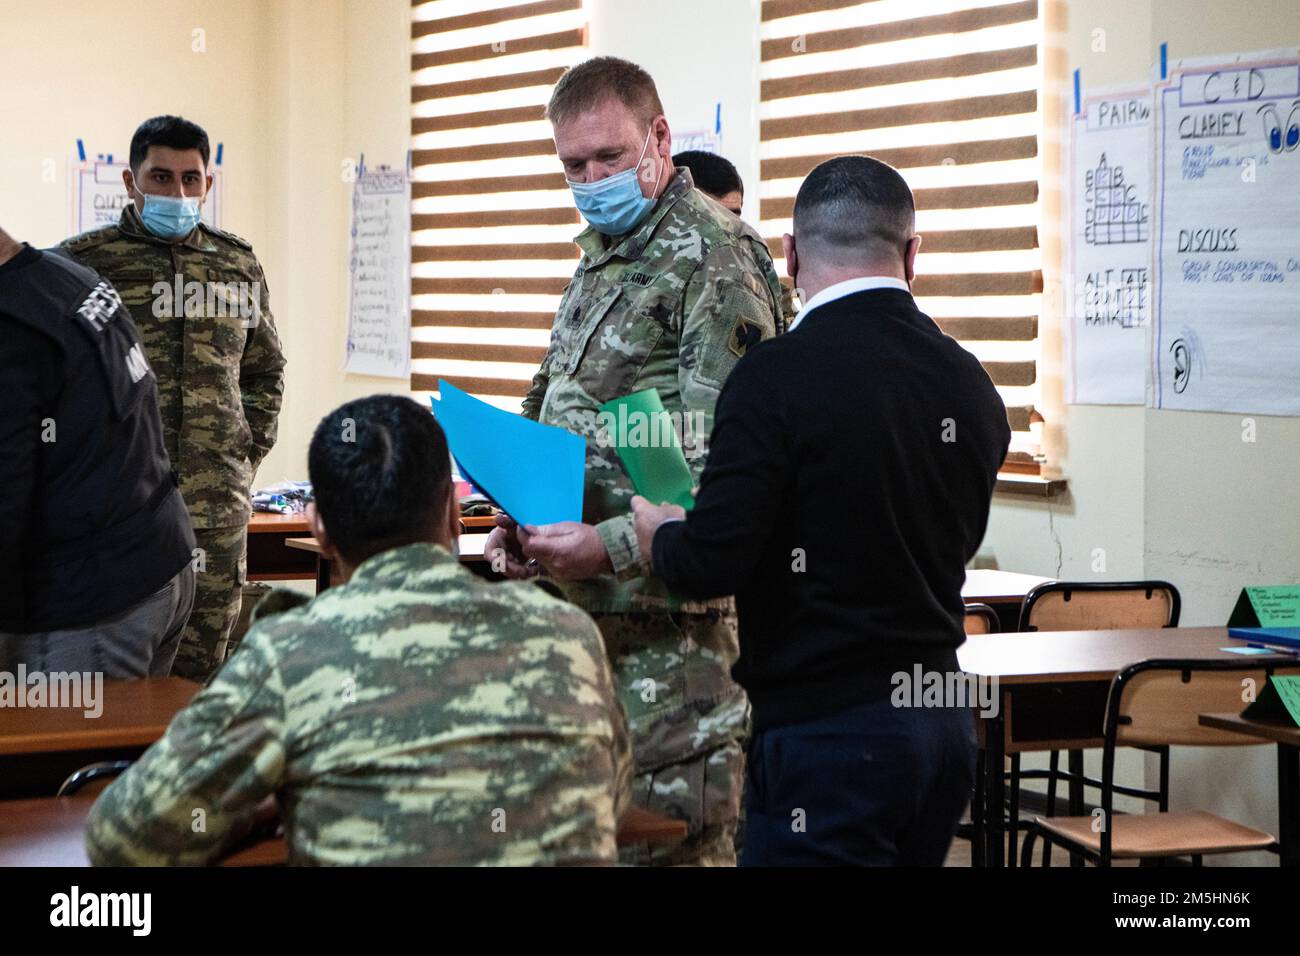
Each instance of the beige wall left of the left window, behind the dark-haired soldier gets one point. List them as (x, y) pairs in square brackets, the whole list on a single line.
[(293, 89)]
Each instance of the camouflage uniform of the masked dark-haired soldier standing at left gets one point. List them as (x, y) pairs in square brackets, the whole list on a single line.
[(220, 375)]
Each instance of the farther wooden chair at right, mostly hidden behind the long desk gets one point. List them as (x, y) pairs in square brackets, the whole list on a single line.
[(1090, 607)]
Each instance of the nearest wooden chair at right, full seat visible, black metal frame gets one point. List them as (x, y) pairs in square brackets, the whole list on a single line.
[(1158, 704)]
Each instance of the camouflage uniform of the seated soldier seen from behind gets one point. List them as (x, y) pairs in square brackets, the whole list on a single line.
[(417, 715)]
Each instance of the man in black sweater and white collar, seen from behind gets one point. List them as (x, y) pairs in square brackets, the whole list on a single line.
[(865, 403)]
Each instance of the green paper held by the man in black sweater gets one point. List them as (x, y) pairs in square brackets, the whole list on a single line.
[(647, 439)]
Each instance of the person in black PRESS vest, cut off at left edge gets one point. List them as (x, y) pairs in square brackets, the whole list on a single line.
[(96, 543)]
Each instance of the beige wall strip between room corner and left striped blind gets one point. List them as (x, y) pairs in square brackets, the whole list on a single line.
[(339, 88)]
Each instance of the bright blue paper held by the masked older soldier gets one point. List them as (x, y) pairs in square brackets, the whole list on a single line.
[(532, 471)]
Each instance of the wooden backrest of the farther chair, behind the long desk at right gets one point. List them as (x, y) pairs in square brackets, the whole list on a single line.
[(1100, 607)]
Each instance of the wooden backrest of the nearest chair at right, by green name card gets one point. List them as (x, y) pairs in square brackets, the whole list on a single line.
[(1160, 703)]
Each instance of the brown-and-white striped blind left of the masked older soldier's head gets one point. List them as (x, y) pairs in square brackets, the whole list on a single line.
[(492, 220)]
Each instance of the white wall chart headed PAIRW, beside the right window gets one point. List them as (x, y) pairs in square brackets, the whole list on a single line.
[(1108, 305)]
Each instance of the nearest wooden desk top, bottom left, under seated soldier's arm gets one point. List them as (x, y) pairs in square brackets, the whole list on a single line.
[(51, 833)]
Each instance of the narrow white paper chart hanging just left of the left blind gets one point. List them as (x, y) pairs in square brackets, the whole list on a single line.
[(379, 314)]
